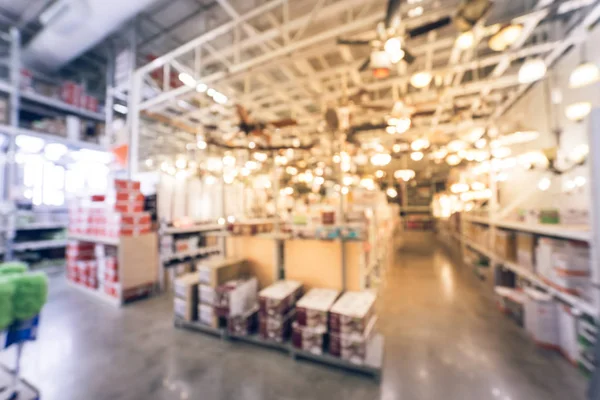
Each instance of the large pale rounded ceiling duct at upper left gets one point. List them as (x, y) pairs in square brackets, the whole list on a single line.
[(71, 27)]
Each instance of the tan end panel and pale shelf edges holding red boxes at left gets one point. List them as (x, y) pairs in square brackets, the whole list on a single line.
[(137, 258)]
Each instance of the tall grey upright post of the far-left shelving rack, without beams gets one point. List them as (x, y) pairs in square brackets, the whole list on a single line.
[(15, 75)]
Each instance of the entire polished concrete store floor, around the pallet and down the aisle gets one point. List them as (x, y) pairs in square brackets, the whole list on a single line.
[(444, 340)]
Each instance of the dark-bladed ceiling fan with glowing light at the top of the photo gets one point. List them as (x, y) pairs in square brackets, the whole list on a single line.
[(390, 45)]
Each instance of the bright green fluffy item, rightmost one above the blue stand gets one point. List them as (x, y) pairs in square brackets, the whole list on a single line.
[(30, 294)]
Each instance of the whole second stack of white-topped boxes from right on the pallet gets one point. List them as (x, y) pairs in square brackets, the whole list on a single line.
[(309, 331)]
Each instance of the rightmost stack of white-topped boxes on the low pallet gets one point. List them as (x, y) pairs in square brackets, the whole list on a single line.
[(351, 324)]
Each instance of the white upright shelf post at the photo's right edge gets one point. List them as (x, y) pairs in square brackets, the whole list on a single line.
[(594, 168)]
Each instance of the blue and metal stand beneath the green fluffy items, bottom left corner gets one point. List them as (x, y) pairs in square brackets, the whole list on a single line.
[(11, 385)]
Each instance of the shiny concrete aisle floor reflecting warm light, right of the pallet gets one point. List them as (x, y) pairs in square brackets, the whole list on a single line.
[(446, 339)]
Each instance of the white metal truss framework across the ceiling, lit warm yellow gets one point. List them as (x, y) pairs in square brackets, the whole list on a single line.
[(293, 68)]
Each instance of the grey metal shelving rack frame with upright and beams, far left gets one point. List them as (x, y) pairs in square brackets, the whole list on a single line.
[(12, 129)]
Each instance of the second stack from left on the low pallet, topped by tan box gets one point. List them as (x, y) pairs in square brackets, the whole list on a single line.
[(215, 277)]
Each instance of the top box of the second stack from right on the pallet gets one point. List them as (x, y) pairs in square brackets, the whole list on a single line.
[(313, 308)]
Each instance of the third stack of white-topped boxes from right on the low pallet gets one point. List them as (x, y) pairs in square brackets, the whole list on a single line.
[(277, 308)]
